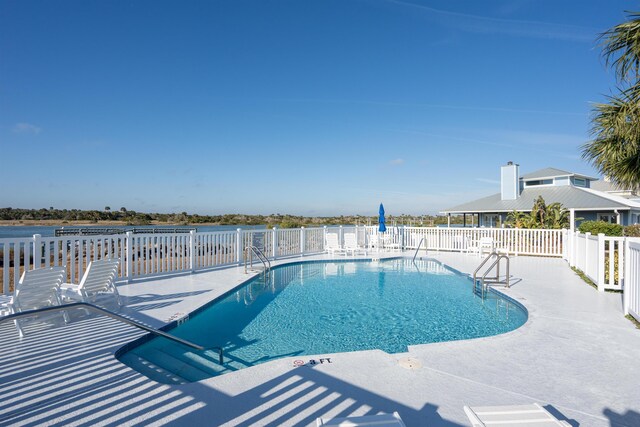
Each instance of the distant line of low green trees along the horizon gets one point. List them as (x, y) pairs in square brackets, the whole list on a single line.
[(130, 217)]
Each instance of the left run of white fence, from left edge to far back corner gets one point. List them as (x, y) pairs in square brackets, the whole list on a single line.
[(144, 255)]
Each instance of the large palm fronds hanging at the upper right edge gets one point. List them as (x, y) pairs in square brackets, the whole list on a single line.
[(615, 125)]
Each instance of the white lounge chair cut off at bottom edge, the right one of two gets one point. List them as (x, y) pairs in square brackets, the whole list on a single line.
[(512, 416)]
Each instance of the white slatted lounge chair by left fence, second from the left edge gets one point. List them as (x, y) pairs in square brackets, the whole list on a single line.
[(98, 278)]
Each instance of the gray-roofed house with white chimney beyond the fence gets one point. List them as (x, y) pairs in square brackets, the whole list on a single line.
[(586, 198)]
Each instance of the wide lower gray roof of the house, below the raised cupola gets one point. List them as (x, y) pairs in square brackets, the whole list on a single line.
[(571, 198)]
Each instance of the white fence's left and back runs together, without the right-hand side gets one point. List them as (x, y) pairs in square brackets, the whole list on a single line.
[(145, 255)]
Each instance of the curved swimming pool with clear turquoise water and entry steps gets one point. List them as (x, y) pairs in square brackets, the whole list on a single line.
[(316, 308)]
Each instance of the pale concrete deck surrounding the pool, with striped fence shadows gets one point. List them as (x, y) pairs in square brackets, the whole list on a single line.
[(577, 355)]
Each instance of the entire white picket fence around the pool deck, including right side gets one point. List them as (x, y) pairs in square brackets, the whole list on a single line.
[(610, 262)]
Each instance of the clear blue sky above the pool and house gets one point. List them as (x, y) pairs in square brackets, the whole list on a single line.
[(304, 107)]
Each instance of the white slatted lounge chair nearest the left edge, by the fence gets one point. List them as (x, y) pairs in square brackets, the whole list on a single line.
[(38, 288)]
